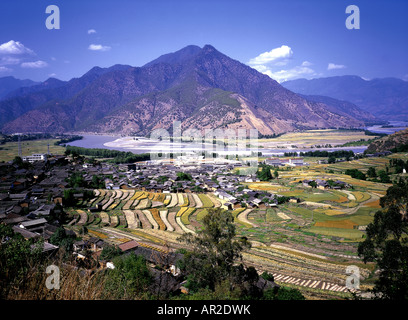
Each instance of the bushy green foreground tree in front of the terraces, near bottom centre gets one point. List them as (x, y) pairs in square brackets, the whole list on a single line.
[(215, 253)]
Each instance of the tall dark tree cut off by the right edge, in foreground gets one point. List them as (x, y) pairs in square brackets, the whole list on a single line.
[(387, 245)]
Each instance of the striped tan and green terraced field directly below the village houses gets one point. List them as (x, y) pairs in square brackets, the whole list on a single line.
[(147, 210)]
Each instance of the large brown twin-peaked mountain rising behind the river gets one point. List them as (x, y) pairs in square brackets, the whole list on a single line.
[(201, 87)]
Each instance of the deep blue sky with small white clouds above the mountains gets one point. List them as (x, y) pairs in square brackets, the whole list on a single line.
[(284, 39)]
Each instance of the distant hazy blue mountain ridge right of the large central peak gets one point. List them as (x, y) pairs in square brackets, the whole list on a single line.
[(385, 98)]
